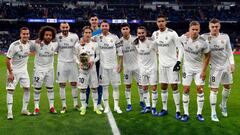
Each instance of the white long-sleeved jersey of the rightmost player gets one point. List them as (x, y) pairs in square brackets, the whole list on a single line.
[(221, 51)]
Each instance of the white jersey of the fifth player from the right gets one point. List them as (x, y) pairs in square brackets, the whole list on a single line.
[(130, 55)]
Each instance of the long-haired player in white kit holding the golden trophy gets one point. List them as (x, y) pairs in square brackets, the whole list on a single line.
[(88, 77)]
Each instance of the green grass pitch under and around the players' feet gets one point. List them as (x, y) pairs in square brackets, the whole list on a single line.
[(132, 123)]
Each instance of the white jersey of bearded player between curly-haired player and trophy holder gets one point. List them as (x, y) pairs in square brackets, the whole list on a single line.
[(66, 46)]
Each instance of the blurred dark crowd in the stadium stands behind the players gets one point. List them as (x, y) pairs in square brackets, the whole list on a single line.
[(119, 9)]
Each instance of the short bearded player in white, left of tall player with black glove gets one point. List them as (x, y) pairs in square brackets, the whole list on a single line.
[(147, 61)]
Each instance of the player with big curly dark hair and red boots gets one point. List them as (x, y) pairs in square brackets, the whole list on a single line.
[(44, 66)]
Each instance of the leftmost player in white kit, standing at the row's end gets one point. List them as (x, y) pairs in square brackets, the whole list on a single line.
[(17, 60)]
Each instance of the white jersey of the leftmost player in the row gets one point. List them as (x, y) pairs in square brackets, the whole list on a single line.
[(19, 53)]
